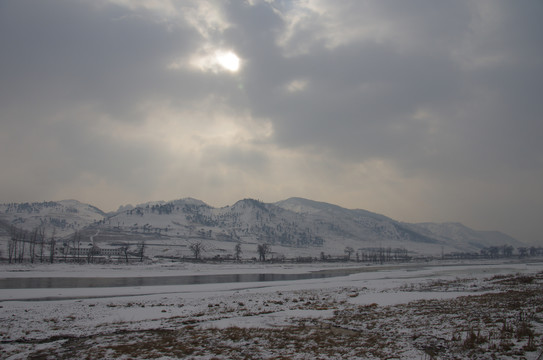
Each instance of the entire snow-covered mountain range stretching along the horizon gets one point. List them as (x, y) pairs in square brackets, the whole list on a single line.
[(298, 224)]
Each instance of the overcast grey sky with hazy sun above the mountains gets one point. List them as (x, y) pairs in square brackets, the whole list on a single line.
[(418, 110)]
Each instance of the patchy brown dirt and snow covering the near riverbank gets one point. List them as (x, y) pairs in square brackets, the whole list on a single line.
[(502, 319)]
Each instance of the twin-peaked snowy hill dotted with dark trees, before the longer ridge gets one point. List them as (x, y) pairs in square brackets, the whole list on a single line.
[(248, 221)]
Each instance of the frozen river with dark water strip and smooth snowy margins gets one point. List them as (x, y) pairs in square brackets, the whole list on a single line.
[(79, 282)]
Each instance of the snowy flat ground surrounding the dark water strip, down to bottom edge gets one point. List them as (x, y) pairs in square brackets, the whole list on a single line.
[(454, 311)]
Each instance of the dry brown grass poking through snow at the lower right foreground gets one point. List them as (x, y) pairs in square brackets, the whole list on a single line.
[(506, 322)]
